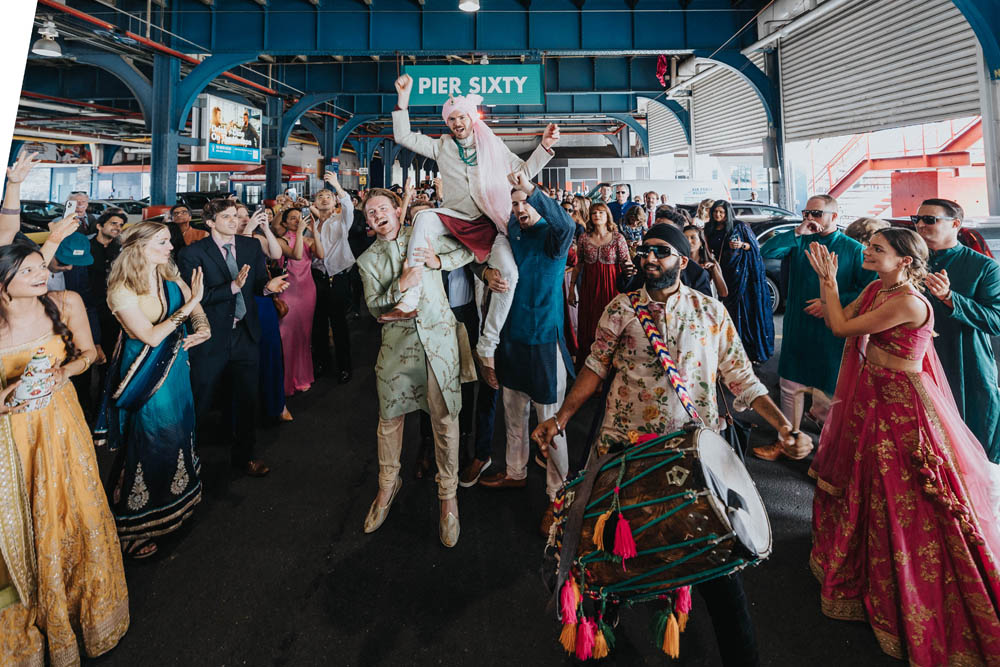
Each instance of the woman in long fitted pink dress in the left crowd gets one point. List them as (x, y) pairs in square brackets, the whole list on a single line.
[(296, 326)]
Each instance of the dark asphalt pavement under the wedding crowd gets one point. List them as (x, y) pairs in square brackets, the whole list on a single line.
[(277, 571)]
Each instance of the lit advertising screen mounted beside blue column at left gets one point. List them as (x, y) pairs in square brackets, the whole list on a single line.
[(229, 131)]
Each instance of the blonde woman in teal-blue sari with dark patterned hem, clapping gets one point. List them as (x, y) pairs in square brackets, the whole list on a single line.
[(147, 414)]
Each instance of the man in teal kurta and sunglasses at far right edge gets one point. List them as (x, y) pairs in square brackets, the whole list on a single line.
[(966, 289)]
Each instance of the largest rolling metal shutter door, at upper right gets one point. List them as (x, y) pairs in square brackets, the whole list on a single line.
[(875, 64)]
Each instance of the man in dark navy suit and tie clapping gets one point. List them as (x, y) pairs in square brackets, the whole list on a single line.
[(234, 270)]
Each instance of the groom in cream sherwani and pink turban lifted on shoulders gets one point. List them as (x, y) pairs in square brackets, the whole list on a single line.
[(475, 168)]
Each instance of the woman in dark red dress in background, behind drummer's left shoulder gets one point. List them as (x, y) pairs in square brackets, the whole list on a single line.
[(601, 253)]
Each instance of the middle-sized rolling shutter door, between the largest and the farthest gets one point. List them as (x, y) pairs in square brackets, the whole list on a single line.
[(728, 114)]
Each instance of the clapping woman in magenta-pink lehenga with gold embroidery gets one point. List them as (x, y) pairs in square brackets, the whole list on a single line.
[(905, 529)]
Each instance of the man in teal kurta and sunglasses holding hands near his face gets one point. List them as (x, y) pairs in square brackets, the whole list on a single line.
[(810, 353)]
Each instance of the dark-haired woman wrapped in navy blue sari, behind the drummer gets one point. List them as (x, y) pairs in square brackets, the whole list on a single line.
[(749, 301)]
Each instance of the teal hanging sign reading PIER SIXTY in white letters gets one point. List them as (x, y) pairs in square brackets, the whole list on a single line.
[(498, 84)]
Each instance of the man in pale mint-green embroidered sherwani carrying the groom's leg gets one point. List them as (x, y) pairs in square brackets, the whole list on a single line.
[(419, 363)]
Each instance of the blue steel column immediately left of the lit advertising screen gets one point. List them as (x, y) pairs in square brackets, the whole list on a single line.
[(163, 163)]
